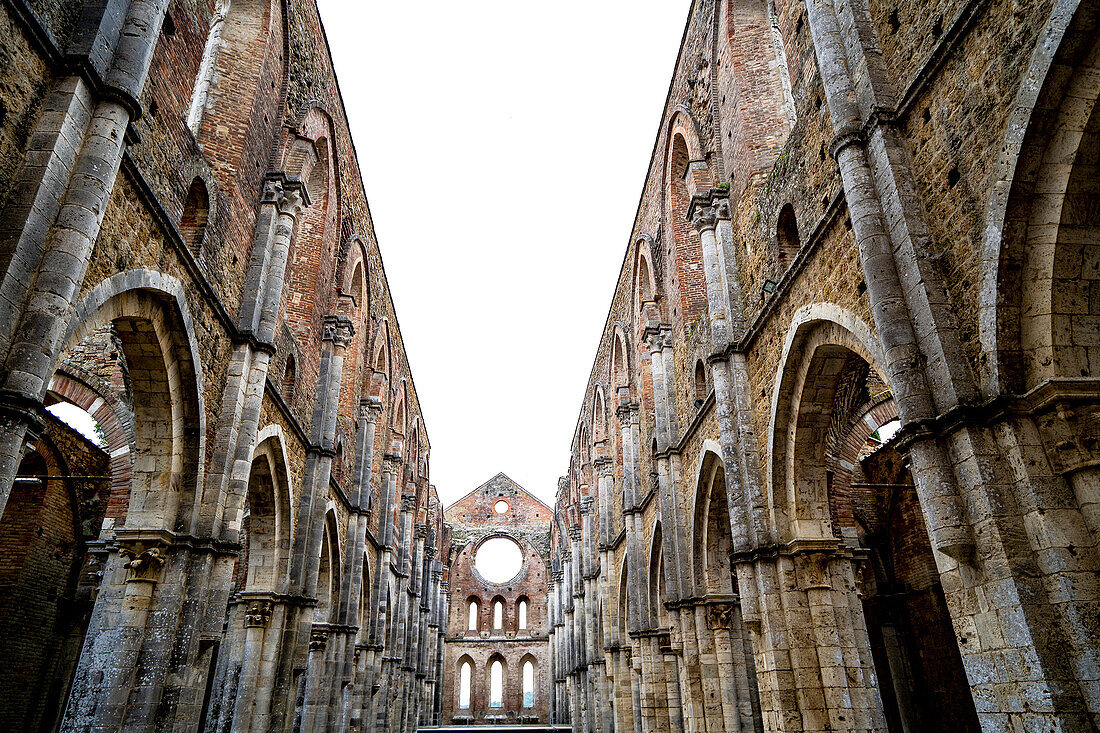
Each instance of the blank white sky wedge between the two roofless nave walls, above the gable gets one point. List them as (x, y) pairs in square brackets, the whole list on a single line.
[(504, 146)]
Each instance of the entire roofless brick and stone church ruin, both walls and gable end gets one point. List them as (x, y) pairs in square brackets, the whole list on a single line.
[(837, 467)]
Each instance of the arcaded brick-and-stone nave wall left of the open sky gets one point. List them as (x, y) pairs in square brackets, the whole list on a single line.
[(188, 255)]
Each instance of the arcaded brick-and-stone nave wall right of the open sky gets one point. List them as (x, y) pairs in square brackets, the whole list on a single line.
[(837, 466)]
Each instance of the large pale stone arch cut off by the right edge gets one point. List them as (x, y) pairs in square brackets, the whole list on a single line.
[(1037, 248)]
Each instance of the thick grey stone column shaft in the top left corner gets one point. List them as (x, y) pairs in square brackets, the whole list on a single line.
[(64, 216)]
